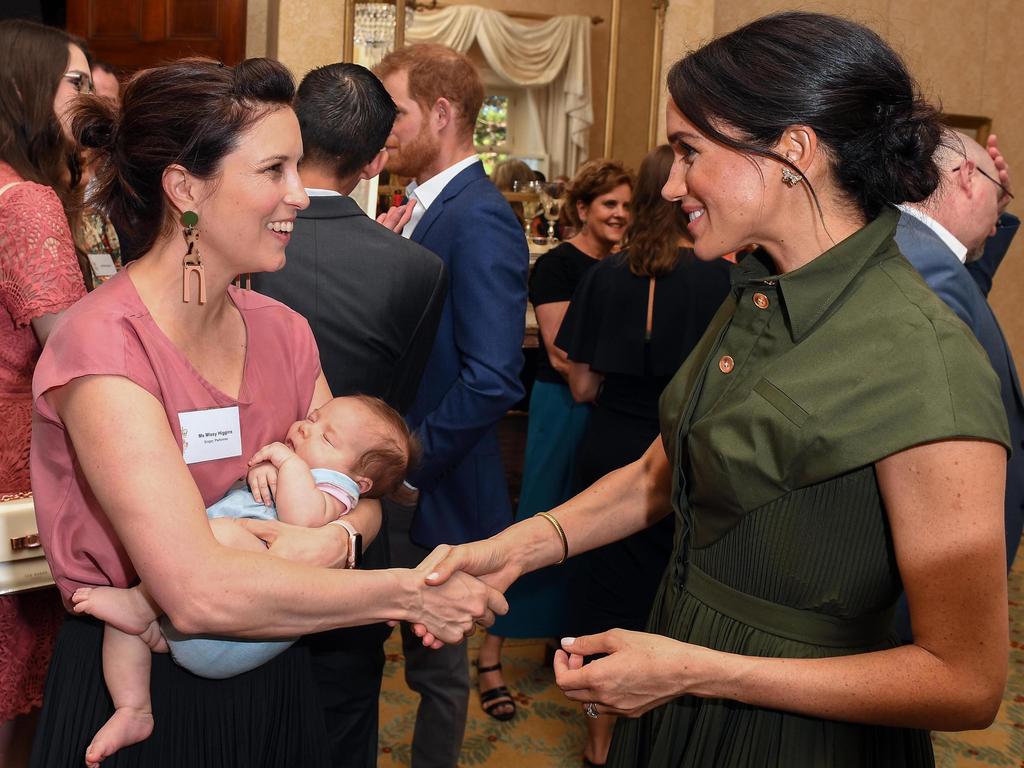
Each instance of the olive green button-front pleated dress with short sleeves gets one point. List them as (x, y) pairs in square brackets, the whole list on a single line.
[(774, 426)]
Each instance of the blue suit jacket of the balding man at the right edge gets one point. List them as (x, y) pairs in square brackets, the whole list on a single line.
[(965, 290)]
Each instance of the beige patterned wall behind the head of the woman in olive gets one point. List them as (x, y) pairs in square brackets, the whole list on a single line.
[(966, 57)]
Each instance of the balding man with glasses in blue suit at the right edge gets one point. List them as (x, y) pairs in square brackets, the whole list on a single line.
[(957, 239)]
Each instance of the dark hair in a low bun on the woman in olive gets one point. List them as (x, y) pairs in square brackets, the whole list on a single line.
[(832, 74)]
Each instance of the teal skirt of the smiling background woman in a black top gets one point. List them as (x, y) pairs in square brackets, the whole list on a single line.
[(538, 604)]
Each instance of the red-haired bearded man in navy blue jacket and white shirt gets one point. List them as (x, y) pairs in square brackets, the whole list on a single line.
[(473, 375)]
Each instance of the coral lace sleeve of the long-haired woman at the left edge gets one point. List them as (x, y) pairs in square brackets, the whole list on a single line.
[(39, 272)]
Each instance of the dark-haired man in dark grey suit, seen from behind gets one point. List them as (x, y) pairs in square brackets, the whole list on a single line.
[(374, 301)]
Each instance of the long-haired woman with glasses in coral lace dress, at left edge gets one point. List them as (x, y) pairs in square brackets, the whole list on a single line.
[(41, 71)]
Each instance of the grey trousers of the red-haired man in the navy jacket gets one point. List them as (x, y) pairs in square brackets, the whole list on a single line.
[(441, 677)]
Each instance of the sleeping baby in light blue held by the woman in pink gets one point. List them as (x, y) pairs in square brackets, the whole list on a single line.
[(351, 448)]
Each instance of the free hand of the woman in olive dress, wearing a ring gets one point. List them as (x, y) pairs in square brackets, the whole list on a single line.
[(642, 671)]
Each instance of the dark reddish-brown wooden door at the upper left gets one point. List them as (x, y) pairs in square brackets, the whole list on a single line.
[(136, 34)]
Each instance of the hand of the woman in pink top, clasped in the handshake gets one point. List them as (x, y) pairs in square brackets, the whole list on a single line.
[(452, 612)]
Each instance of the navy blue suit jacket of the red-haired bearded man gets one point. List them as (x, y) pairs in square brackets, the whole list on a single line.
[(473, 376)]
